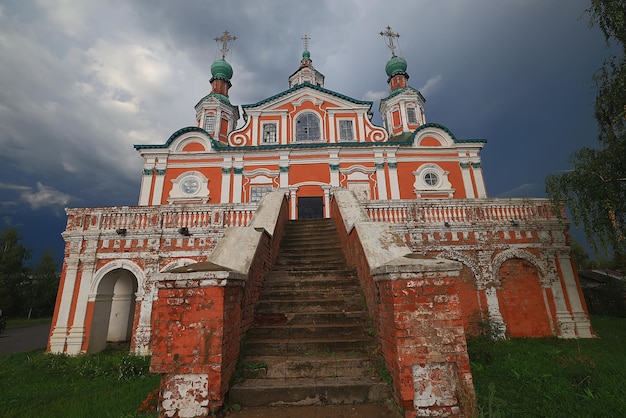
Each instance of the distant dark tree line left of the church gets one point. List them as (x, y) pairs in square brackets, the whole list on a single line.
[(27, 290)]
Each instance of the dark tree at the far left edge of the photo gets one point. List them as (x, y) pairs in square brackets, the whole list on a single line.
[(13, 270)]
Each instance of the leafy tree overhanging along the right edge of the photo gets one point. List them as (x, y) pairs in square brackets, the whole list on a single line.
[(595, 189)]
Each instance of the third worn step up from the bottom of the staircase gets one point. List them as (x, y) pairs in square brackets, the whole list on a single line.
[(309, 346)]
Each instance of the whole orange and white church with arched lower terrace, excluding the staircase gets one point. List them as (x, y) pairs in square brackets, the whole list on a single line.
[(308, 142)]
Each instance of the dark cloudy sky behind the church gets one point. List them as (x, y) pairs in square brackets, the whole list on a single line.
[(81, 81)]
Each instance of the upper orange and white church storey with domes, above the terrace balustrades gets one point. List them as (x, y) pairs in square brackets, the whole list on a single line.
[(308, 139)]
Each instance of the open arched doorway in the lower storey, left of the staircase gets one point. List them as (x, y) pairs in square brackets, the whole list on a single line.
[(113, 310)]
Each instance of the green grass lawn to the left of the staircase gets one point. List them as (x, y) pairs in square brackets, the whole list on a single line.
[(110, 384)]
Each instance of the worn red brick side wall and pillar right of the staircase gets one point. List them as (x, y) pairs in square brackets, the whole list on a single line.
[(418, 324)]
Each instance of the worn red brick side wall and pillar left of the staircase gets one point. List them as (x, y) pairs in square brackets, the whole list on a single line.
[(197, 328)]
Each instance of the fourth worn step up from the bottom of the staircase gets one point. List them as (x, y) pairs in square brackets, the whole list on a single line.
[(300, 331)]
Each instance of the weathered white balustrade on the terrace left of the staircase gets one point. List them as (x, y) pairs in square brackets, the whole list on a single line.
[(159, 217)]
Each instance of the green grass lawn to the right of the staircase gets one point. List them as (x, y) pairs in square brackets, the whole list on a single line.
[(551, 377)]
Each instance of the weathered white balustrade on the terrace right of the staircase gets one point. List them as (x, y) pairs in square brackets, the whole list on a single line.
[(460, 210)]
